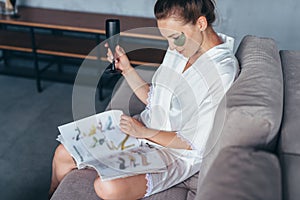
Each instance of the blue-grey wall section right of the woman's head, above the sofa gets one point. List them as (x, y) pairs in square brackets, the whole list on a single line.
[(267, 18)]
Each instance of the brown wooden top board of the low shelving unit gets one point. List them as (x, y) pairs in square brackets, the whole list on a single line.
[(80, 21)]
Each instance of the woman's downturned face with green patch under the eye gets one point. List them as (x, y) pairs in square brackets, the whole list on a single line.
[(184, 38)]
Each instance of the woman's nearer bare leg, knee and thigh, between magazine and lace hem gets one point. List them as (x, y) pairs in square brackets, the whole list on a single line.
[(133, 187)]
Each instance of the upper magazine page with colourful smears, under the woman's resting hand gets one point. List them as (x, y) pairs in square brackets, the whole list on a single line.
[(95, 137)]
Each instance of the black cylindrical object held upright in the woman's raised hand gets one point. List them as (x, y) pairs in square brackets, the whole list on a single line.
[(112, 27)]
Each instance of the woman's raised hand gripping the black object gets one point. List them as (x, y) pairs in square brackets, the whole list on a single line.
[(121, 60)]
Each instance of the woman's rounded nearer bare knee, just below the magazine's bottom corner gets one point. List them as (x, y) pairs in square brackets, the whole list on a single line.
[(107, 189)]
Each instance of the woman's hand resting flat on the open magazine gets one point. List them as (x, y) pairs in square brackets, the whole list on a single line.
[(132, 127)]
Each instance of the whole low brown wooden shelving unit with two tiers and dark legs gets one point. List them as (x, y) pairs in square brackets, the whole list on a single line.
[(44, 32)]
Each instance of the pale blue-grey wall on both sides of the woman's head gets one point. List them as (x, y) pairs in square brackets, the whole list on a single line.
[(270, 18)]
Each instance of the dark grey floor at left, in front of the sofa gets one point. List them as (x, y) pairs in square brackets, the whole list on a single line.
[(28, 126)]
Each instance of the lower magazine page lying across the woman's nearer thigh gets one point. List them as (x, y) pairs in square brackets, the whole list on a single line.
[(140, 160)]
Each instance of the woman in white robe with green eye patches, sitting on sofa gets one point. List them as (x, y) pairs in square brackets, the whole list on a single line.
[(197, 70)]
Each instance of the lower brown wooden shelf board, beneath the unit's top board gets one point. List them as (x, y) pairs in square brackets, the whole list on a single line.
[(73, 47)]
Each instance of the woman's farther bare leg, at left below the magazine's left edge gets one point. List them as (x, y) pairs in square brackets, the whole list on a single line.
[(62, 164)]
